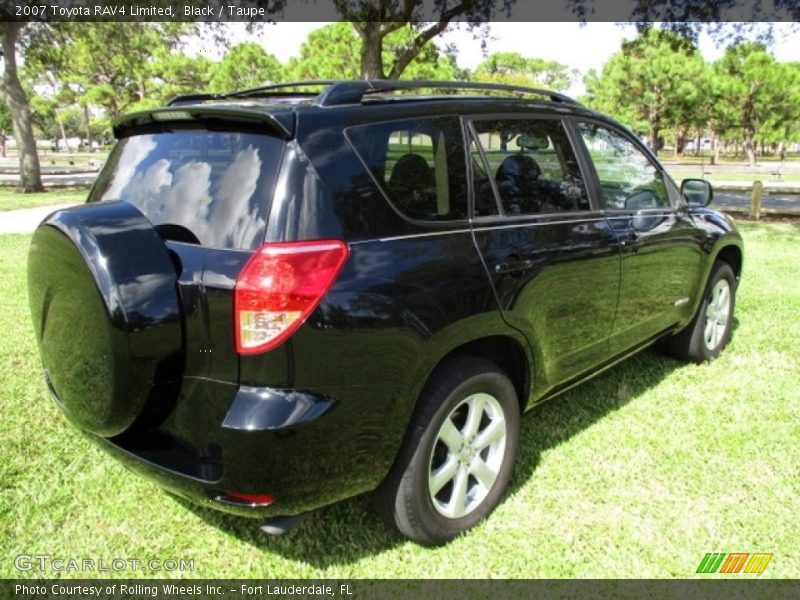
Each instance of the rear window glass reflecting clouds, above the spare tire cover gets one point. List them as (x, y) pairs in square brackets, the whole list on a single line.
[(211, 186)]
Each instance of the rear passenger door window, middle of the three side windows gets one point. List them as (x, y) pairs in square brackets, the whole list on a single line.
[(529, 163)]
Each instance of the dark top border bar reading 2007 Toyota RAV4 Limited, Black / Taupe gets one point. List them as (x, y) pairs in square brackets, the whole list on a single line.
[(400, 10)]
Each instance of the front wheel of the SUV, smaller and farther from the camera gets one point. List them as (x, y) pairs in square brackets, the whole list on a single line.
[(708, 333)]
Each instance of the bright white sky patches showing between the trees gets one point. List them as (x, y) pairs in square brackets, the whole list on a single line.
[(580, 47)]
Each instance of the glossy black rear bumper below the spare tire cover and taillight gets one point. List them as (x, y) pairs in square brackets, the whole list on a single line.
[(306, 449)]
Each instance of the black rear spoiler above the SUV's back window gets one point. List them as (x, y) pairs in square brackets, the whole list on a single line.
[(281, 123)]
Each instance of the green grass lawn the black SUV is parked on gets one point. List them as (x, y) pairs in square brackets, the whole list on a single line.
[(636, 474)]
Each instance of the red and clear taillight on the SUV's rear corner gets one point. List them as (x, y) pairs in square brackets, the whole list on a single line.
[(279, 287)]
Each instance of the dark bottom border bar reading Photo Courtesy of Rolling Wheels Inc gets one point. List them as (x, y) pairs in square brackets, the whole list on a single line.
[(711, 587)]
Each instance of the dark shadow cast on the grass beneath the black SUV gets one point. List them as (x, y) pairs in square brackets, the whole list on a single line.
[(348, 531)]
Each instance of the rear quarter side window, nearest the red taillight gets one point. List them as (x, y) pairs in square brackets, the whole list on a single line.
[(419, 165)]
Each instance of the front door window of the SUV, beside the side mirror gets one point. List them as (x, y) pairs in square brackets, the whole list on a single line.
[(628, 178)]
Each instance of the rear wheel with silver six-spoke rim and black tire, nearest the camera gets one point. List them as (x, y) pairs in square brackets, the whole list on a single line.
[(458, 455)]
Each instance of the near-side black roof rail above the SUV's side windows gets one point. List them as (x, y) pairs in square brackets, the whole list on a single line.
[(353, 92)]
